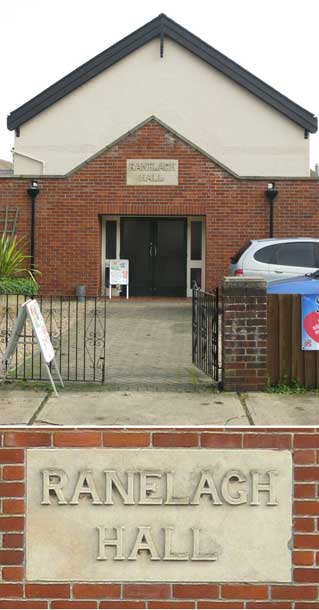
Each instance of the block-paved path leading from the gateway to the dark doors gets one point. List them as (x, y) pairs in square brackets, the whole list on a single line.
[(149, 346)]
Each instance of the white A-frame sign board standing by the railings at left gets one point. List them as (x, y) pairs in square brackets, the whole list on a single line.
[(32, 310)]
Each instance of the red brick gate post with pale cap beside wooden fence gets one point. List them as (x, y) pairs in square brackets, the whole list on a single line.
[(244, 334)]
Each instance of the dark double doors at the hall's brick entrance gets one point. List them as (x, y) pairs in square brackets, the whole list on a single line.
[(156, 250)]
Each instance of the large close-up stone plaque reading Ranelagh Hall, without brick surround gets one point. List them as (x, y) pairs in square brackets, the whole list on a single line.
[(182, 515)]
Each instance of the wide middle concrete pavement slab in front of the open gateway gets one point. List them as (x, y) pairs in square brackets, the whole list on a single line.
[(142, 408)]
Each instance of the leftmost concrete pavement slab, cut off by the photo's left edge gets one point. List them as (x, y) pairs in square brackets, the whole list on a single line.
[(18, 406)]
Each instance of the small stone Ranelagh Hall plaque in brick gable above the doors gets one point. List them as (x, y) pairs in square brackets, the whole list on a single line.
[(152, 172)]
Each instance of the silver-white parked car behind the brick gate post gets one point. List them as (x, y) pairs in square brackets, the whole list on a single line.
[(276, 258)]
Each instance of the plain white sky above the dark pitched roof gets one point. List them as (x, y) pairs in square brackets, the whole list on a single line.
[(43, 40)]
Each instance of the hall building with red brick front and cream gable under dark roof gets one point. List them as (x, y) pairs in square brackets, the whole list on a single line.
[(158, 150)]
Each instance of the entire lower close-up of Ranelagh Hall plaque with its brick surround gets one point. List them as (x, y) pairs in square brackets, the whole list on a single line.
[(200, 505)]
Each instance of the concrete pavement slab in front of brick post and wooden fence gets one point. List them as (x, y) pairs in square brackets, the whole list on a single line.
[(283, 409)]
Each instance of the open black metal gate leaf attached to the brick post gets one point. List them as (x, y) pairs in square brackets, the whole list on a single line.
[(205, 331)]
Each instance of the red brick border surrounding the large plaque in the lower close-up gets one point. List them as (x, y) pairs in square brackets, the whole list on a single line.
[(303, 592)]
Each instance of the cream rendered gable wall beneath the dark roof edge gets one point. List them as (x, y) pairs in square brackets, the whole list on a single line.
[(225, 120)]
